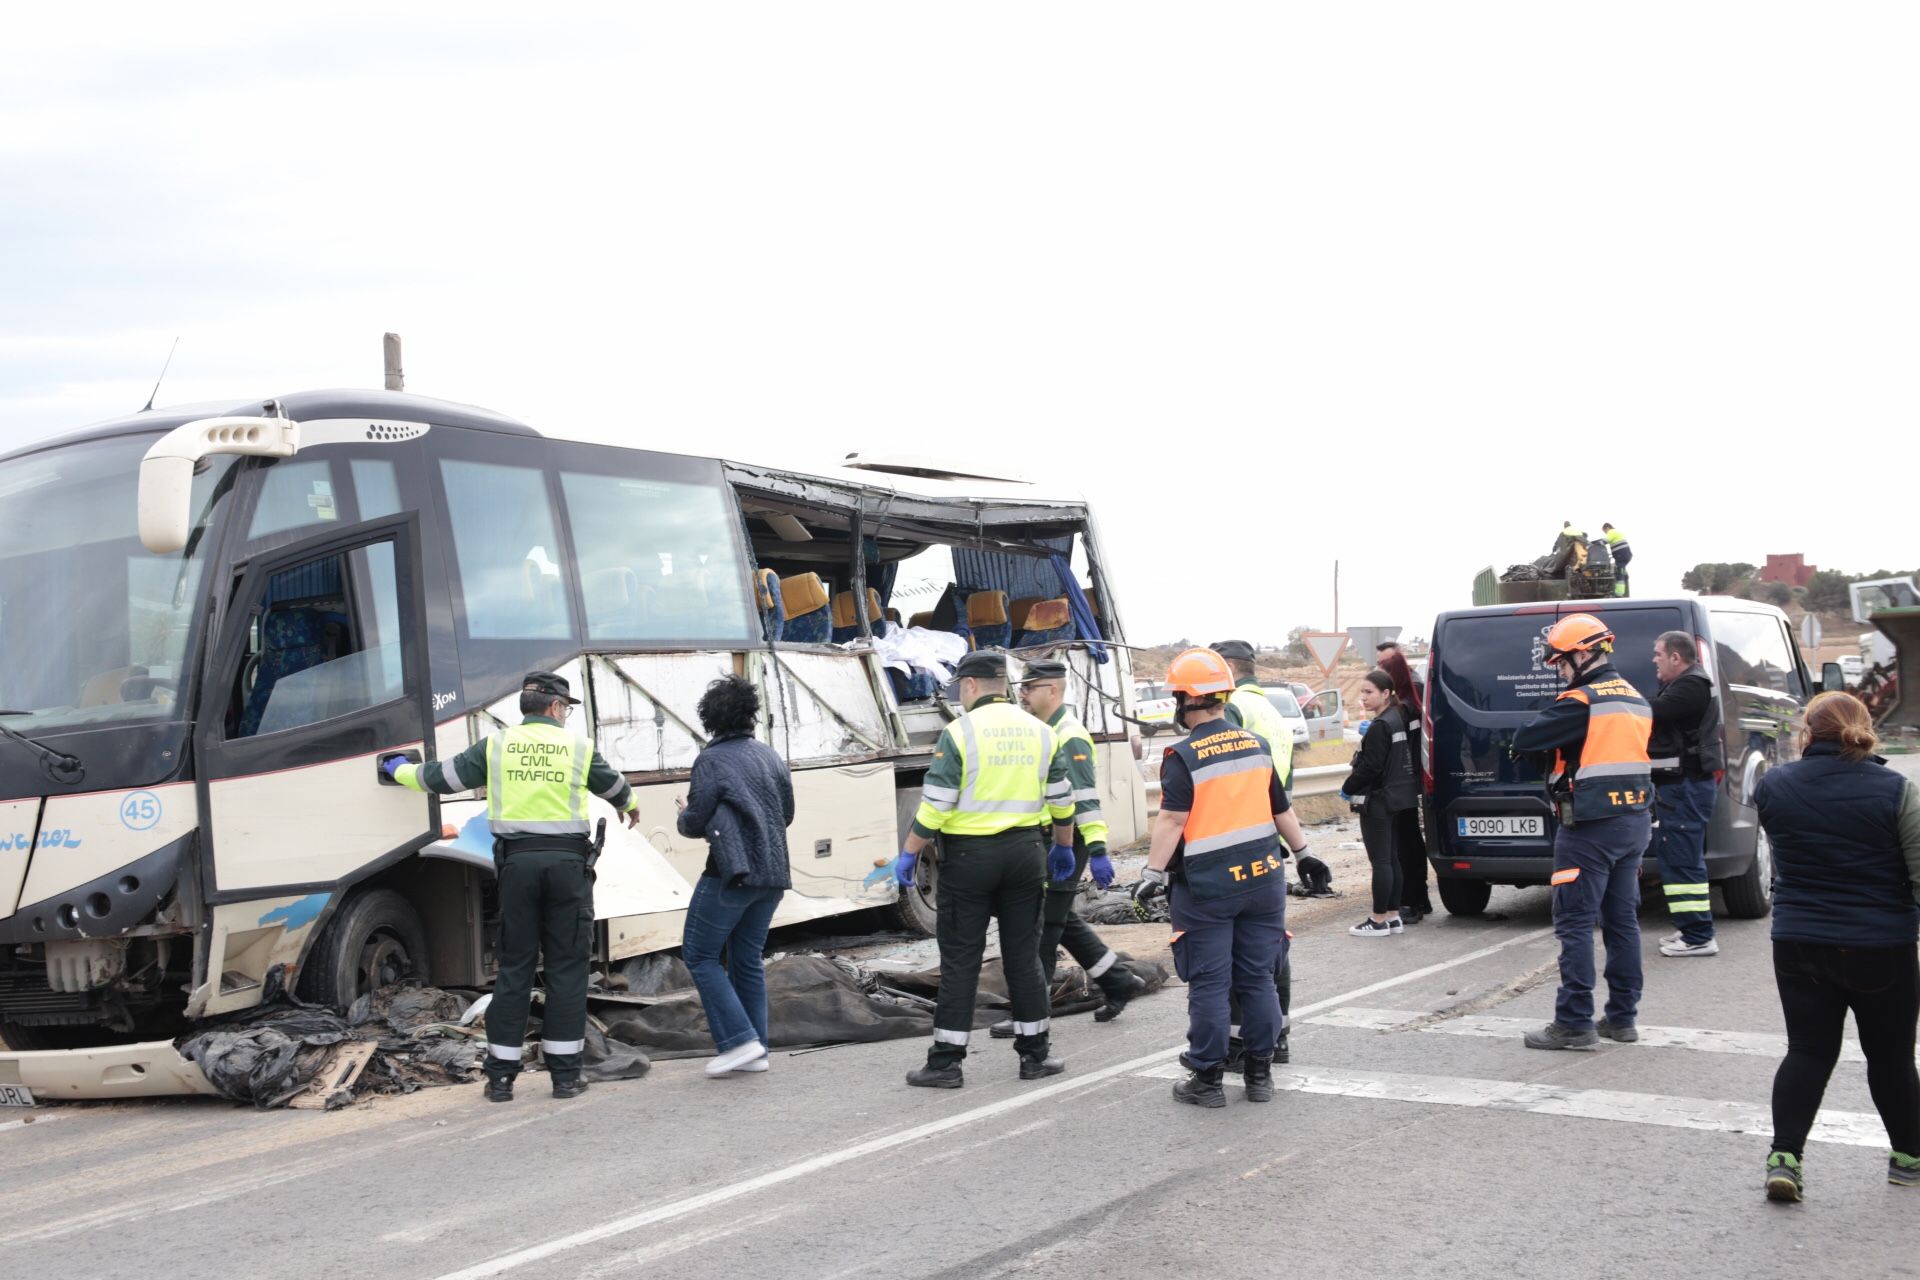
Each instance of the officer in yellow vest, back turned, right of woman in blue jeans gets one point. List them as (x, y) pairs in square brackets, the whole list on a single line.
[(994, 786)]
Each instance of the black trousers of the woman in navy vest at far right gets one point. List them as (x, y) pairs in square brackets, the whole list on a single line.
[(1817, 987)]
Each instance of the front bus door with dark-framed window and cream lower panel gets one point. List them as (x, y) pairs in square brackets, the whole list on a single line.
[(320, 671)]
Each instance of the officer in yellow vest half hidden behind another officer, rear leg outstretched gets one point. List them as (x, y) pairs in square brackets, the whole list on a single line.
[(1044, 694)]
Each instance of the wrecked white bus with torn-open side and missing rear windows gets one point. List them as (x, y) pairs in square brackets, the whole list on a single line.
[(216, 619)]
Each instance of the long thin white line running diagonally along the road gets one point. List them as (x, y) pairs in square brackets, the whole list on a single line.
[(828, 1160)]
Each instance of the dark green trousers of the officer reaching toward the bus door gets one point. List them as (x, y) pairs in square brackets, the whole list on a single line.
[(546, 909)]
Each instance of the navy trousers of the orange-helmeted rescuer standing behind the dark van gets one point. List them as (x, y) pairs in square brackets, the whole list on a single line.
[(1596, 878)]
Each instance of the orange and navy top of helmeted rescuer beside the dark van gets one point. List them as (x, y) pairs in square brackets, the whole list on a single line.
[(1598, 732)]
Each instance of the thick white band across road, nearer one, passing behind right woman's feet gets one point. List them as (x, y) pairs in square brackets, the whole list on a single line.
[(1595, 1104)]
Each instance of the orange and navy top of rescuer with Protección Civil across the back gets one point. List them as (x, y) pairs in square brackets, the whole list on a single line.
[(1224, 780)]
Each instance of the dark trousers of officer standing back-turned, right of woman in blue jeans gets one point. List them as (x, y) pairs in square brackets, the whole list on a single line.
[(990, 878)]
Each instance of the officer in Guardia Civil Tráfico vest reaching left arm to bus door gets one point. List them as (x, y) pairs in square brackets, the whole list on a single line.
[(537, 782)]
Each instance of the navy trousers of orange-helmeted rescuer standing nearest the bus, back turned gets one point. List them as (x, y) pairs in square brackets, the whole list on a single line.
[(1230, 947)]
